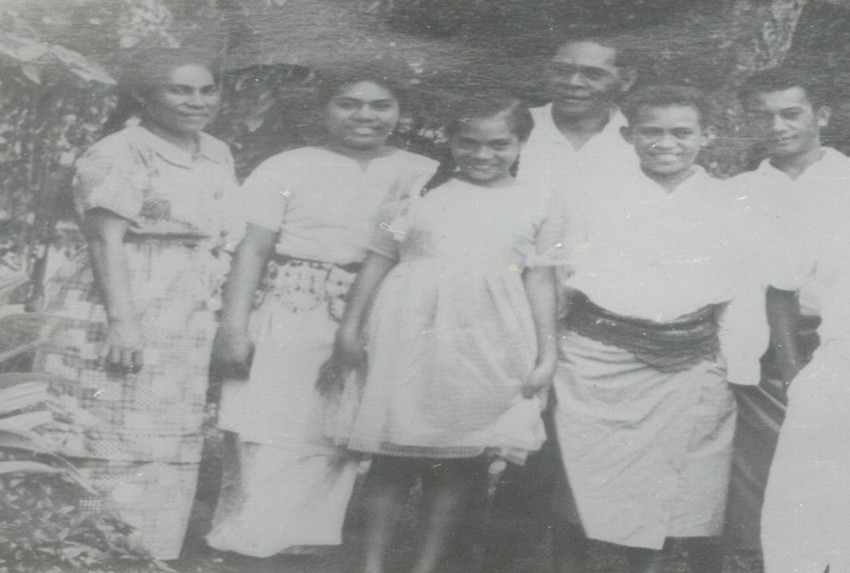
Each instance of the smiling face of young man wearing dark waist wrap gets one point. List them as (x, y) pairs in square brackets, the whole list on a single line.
[(667, 139)]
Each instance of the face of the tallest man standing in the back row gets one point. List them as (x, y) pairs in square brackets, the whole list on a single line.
[(583, 79)]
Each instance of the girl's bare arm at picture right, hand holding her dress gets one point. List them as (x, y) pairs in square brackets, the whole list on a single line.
[(540, 288)]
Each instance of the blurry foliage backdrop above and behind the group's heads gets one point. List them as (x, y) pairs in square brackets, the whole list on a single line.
[(55, 56)]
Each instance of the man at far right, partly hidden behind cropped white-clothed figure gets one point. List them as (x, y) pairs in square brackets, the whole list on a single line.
[(786, 116)]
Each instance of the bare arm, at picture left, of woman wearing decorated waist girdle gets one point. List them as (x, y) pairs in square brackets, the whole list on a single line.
[(232, 346)]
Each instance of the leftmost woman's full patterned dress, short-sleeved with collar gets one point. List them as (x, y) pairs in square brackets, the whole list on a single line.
[(138, 438)]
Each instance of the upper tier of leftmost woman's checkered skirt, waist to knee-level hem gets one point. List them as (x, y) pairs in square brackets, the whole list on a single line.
[(155, 415)]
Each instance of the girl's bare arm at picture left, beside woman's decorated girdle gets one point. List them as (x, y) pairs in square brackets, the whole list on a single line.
[(348, 349)]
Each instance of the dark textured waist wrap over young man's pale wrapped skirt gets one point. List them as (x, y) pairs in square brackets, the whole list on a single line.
[(667, 346)]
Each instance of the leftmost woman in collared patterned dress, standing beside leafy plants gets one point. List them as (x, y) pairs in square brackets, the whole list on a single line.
[(132, 322)]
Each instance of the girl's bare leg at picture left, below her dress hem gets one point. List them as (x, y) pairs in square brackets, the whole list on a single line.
[(386, 488)]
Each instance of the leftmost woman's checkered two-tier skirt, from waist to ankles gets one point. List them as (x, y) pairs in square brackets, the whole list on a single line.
[(137, 438)]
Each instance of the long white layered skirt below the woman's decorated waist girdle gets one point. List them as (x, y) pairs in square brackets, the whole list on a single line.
[(291, 485)]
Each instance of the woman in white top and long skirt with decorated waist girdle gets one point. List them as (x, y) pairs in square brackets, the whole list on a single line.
[(311, 213)]
